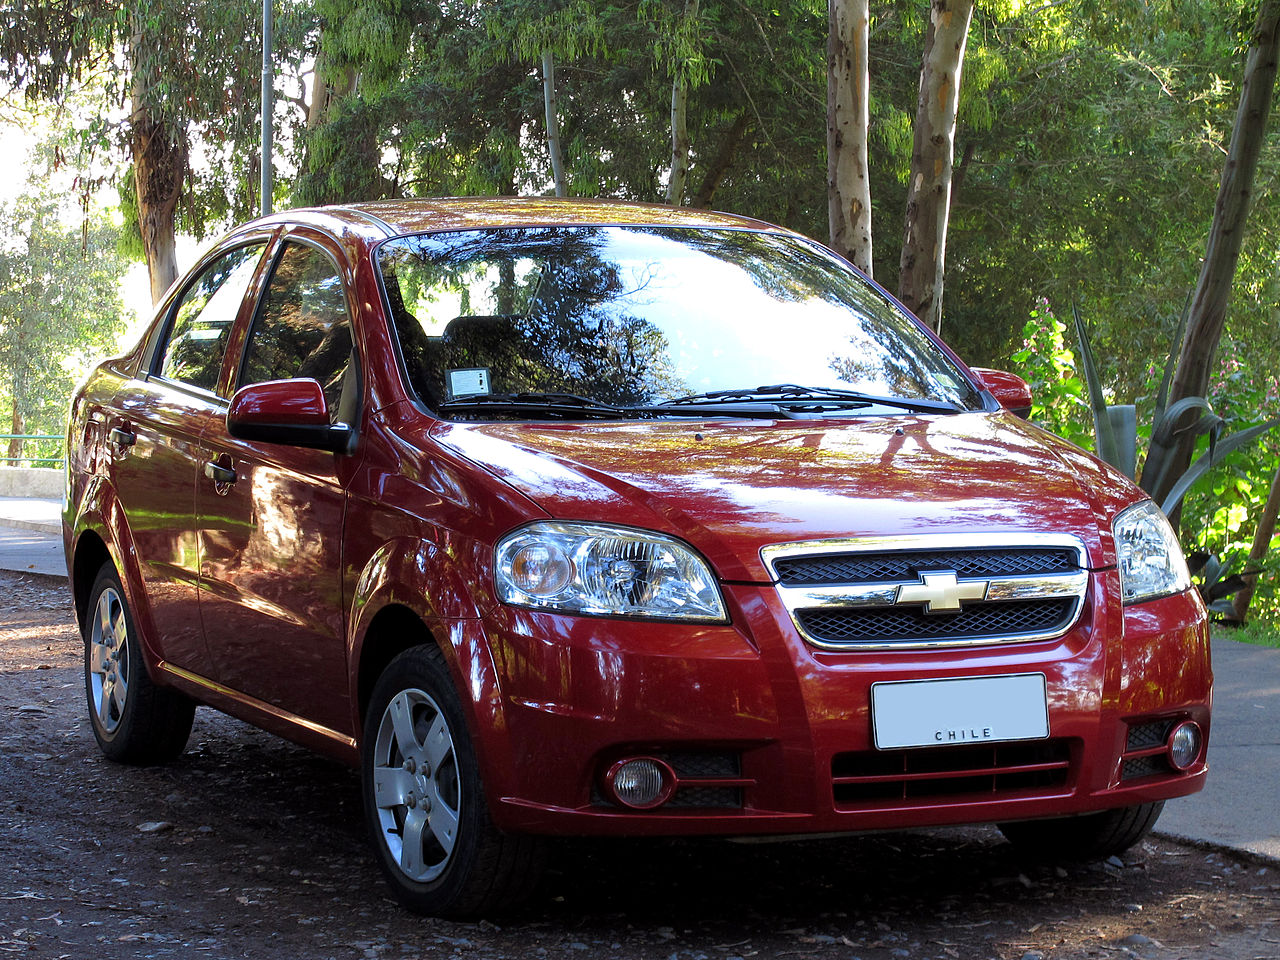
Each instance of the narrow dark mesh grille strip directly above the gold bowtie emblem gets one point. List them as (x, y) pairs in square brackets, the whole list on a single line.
[(888, 568)]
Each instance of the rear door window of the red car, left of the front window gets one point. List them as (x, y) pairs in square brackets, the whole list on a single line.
[(203, 319)]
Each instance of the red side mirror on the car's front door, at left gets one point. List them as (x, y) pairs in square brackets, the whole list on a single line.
[(291, 413)]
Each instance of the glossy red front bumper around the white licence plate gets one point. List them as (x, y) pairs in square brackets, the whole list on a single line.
[(771, 735)]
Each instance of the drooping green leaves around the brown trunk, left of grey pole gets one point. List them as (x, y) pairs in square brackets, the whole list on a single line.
[(191, 68)]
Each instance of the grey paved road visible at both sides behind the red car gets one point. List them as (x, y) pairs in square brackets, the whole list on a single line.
[(1240, 808)]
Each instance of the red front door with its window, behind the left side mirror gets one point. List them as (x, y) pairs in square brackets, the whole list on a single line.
[(271, 516)]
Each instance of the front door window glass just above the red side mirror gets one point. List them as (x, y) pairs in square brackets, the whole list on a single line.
[(303, 328)]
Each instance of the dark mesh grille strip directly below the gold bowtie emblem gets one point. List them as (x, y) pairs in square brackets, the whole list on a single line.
[(895, 625)]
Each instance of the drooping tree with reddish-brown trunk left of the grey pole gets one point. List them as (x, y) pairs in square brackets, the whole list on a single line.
[(190, 76)]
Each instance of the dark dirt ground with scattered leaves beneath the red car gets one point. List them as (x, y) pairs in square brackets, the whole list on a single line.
[(252, 848)]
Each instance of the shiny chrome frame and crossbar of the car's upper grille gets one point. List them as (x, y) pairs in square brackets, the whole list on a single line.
[(866, 598)]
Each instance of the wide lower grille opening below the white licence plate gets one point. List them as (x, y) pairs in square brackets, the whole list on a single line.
[(989, 772)]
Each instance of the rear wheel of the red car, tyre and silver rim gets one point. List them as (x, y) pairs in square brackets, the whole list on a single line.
[(134, 720)]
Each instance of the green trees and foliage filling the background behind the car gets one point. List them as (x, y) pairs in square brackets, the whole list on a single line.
[(1089, 150)]
